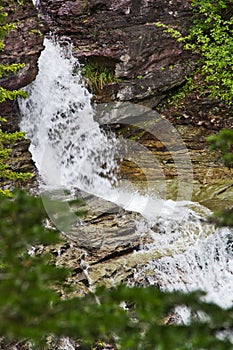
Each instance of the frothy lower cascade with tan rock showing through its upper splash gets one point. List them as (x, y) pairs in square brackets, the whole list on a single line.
[(195, 255)]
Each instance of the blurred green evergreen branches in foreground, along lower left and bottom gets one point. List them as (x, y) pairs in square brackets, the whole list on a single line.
[(31, 309)]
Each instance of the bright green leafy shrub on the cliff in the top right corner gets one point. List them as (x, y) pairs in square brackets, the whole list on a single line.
[(210, 38)]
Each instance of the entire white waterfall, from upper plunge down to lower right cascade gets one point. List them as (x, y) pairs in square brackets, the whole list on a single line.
[(71, 151)]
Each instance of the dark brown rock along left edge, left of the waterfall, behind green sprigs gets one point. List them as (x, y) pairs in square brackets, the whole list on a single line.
[(22, 45)]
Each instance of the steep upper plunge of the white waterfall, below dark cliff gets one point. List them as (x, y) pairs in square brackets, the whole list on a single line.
[(67, 145)]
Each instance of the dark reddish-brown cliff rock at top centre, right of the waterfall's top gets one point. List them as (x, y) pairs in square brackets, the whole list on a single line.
[(123, 35)]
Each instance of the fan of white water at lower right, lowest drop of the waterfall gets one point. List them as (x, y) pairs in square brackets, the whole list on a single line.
[(205, 265)]
